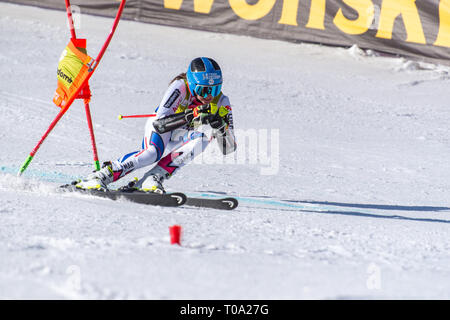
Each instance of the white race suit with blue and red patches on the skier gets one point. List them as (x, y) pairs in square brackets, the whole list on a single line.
[(174, 149)]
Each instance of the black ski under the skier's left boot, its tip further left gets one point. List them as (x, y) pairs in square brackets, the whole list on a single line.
[(173, 199)]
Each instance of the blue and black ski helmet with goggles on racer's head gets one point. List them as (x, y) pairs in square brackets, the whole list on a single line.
[(204, 77)]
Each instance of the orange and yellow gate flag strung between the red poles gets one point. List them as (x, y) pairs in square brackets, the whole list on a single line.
[(74, 68)]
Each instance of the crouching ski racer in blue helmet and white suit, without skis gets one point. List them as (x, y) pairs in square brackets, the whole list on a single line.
[(192, 112)]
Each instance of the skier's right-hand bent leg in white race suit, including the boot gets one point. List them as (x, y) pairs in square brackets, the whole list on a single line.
[(192, 144)]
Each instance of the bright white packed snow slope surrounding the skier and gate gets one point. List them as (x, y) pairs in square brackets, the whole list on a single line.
[(346, 197)]
